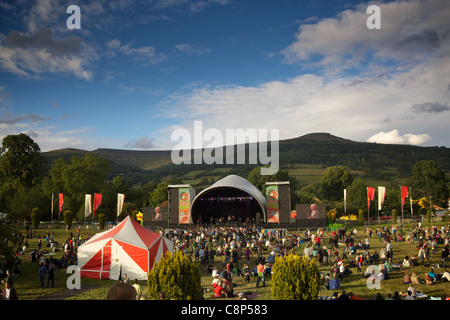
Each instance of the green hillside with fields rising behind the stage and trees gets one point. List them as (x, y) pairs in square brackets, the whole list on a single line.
[(305, 158)]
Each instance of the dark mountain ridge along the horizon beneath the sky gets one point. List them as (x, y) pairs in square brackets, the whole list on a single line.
[(323, 149)]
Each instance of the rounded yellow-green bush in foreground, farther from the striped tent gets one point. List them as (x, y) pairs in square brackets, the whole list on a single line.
[(295, 278)]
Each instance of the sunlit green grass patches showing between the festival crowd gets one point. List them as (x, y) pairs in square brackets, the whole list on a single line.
[(28, 285)]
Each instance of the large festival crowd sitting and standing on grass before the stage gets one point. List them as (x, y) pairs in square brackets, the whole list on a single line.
[(248, 252)]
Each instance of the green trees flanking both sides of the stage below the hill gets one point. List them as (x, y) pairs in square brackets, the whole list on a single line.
[(27, 186)]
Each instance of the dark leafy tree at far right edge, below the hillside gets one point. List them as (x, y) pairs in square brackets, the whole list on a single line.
[(428, 179)]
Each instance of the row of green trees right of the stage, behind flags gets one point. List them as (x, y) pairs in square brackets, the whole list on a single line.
[(427, 181)]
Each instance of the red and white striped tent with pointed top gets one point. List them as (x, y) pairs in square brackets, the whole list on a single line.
[(128, 248)]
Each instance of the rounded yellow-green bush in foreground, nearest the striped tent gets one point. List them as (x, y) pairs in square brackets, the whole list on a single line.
[(177, 276)]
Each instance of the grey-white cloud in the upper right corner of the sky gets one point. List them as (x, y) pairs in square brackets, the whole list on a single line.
[(410, 30)]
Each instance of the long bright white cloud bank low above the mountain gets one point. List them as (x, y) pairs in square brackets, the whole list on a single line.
[(350, 107)]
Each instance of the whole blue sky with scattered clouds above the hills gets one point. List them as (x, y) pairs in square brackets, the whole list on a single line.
[(137, 70)]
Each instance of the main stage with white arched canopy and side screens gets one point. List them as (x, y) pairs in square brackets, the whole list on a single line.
[(233, 201)]
